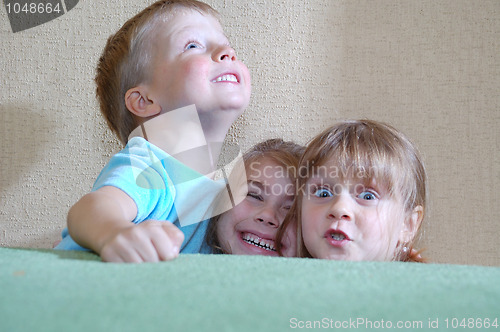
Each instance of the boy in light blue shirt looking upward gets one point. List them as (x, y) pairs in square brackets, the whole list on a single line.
[(171, 55)]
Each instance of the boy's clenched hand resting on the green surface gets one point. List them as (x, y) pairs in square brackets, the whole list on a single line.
[(149, 241)]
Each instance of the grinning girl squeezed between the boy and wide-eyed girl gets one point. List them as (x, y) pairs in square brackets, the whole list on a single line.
[(250, 228)]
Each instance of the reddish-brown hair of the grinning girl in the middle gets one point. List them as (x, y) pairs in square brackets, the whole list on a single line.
[(285, 153)]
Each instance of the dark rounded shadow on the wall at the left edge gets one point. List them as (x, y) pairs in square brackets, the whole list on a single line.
[(24, 134)]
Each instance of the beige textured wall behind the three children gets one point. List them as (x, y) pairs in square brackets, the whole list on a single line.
[(430, 68)]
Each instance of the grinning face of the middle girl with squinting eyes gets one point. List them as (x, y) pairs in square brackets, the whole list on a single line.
[(250, 228)]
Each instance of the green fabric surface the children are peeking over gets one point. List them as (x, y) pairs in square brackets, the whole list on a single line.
[(48, 290)]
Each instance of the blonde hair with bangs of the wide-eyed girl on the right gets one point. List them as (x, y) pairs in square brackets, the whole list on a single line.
[(367, 150)]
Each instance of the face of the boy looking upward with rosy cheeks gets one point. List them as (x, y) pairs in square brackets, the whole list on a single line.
[(194, 64)]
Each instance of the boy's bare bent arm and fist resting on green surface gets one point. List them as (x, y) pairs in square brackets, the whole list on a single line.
[(102, 222)]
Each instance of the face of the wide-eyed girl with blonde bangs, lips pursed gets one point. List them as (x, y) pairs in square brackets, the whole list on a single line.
[(347, 220)]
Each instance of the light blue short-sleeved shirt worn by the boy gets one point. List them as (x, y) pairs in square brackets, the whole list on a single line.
[(162, 188)]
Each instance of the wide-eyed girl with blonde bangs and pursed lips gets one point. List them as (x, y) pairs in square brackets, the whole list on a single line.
[(361, 194)]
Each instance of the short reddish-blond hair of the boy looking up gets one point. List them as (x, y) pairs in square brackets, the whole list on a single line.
[(126, 60)]
